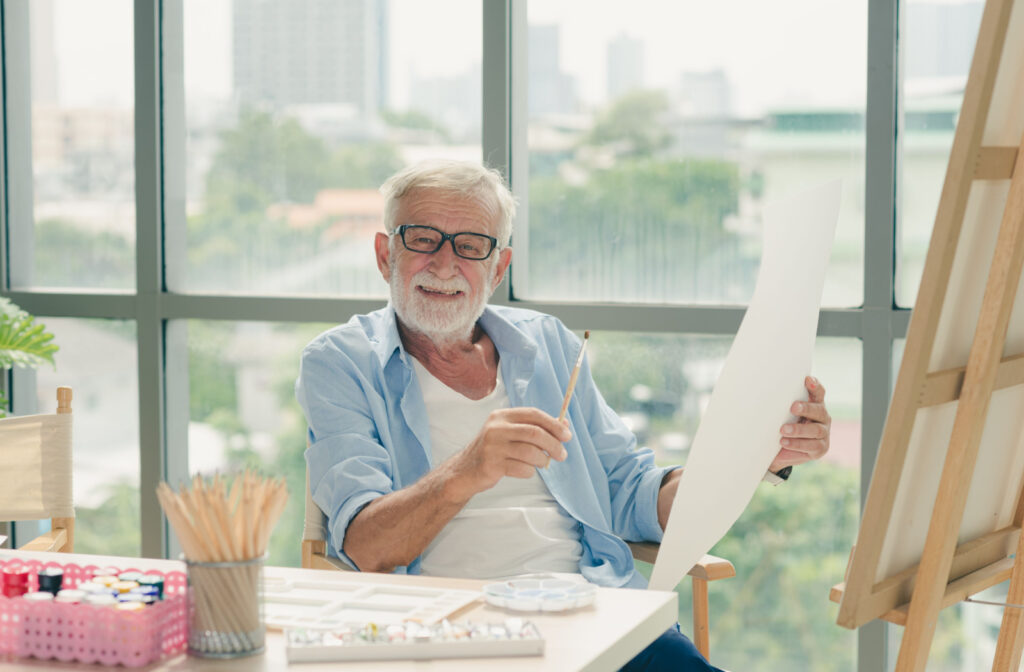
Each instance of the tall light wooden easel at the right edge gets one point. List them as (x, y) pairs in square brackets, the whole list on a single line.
[(950, 571)]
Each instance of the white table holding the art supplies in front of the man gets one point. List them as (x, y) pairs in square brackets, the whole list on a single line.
[(603, 637)]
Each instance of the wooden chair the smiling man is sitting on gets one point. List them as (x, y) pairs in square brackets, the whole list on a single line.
[(315, 557)]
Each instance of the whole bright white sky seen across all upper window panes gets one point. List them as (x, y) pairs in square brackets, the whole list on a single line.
[(798, 53)]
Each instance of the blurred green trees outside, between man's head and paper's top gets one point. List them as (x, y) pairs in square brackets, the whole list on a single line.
[(645, 228)]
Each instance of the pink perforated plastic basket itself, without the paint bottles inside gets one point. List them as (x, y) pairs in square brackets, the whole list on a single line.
[(89, 634)]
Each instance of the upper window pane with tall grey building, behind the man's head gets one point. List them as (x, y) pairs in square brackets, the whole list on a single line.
[(295, 114)]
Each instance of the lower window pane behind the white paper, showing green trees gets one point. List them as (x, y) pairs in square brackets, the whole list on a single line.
[(792, 543)]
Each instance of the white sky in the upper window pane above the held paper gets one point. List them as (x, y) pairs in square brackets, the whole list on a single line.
[(803, 52)]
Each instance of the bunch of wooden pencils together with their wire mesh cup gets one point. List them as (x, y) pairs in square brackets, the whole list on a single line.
[(225, 531)]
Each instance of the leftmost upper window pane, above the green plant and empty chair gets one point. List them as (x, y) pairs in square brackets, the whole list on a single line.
[(79, 224)]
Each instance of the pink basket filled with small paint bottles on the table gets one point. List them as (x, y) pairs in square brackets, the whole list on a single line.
[(91, 614)]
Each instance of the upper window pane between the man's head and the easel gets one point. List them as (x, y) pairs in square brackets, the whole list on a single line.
[(655, 145)]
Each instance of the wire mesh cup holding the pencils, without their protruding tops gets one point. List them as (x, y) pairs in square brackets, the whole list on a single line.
[(226, 613)]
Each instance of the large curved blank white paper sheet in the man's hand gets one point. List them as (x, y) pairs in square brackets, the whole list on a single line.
[(739, 436)]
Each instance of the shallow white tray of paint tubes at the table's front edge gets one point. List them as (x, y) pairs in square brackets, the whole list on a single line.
[(411, 641)]
